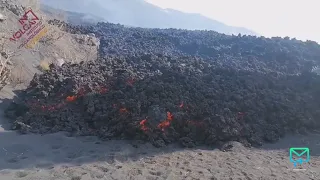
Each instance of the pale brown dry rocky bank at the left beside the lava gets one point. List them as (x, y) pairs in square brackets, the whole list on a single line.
[(57, 44)]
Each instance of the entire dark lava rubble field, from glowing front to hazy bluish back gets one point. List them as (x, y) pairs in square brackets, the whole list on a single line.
[(167, 95)]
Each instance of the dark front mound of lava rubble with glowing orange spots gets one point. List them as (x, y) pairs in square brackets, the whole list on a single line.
[(163, 99)]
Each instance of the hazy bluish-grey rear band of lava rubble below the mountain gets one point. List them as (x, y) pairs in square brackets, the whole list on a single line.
[(277, 55)]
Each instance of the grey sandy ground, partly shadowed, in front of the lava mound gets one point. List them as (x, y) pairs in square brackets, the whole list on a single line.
[(61, 157)]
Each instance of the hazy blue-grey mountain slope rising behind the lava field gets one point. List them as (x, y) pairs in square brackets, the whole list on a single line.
[(139, 13)]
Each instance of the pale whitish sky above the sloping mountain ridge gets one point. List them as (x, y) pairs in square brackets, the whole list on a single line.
[(293, 18)]
